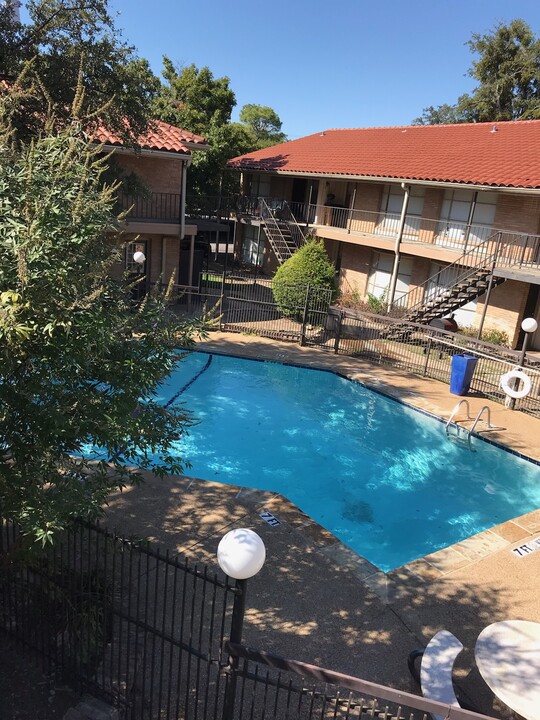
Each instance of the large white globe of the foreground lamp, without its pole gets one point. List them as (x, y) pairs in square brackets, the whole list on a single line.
[(241, 553)]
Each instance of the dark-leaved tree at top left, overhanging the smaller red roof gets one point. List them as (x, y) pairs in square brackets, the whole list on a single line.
[(118, 84)]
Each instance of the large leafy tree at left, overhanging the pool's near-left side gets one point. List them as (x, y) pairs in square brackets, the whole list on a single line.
[(80, 362)]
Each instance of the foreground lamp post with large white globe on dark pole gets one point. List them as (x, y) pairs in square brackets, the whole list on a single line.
[(241, 554)]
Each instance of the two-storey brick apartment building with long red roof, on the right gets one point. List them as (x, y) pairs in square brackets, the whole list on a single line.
[(409, 215)]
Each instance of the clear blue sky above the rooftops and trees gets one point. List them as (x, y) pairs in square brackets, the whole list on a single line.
[(320, 65)]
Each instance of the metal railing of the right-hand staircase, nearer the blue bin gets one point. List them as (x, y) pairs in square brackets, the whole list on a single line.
[(482, 255)]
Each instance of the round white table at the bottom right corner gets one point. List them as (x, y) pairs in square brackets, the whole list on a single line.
[(508, 657)]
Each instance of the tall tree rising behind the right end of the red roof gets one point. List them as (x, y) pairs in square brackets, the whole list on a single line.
[(508, 72)]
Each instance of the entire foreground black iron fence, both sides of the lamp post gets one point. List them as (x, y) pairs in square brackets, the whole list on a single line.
[(160, 638)]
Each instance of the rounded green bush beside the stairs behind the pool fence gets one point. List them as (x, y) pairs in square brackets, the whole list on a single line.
[(309, 265)]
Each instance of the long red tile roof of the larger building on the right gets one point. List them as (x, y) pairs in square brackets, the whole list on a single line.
[(502, 154)]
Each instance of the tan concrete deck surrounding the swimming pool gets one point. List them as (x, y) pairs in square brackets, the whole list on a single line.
[(316, 600)]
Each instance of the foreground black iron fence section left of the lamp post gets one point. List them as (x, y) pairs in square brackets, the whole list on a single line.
[(120, 619)]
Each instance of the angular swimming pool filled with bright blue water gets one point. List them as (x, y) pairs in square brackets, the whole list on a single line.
[(380, 476)]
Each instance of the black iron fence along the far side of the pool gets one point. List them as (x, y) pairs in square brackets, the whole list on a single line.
[(246, 303)]
